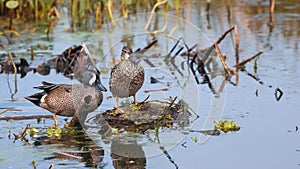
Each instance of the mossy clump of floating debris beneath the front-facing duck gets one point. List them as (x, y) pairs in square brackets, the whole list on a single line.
[(145, 115)]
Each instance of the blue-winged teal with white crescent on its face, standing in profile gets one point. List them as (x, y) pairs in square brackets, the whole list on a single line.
[(64, 100)]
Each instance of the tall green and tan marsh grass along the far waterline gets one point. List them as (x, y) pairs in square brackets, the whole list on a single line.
[(83, 14)]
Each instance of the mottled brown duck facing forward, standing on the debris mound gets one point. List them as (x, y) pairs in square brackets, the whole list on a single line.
[(127, 77)]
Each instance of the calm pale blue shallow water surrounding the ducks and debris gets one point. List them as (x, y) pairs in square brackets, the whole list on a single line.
[(268, 137)]
